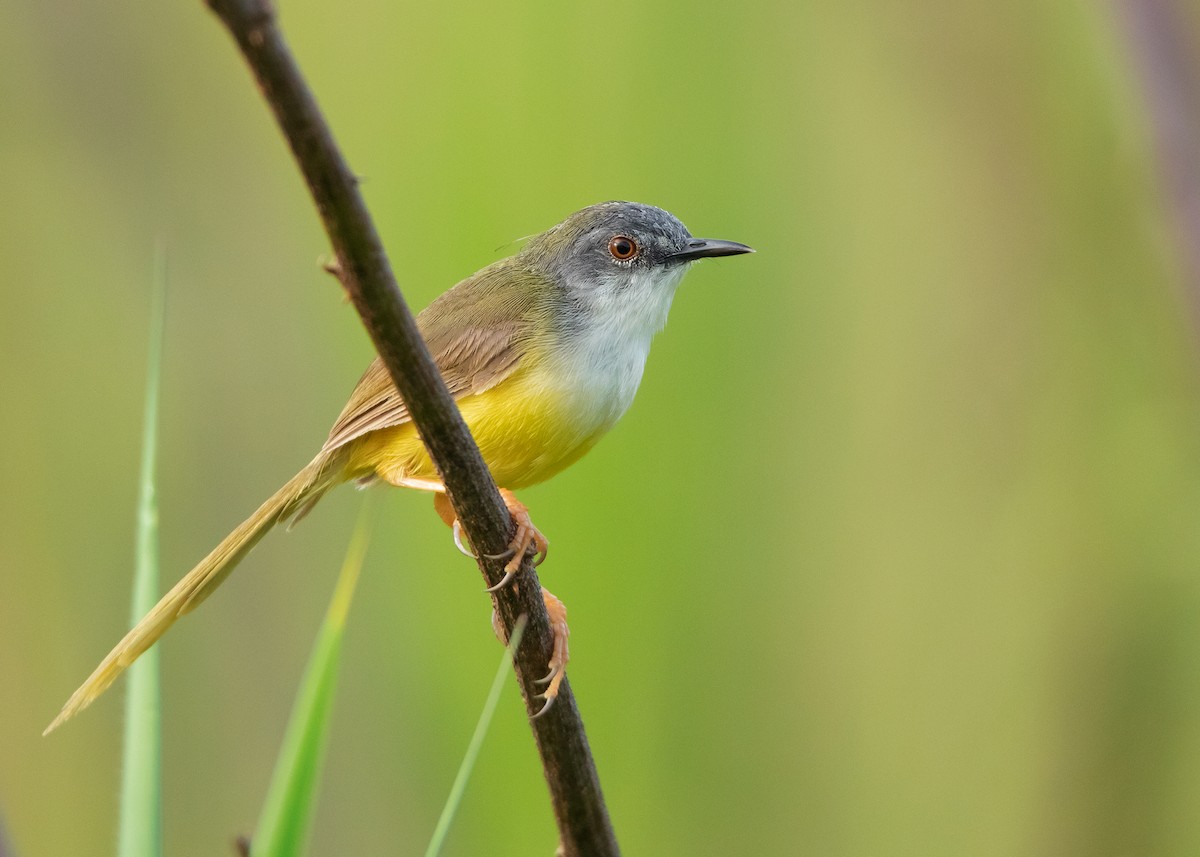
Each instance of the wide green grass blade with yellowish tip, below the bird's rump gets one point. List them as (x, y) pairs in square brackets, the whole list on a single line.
[(287, 813)]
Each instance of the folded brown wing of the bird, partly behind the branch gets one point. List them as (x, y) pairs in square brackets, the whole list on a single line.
[(477, 333)]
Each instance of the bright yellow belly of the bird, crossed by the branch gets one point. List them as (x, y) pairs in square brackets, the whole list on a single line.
[(527, 432)]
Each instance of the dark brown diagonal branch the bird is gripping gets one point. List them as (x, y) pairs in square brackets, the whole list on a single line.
[(365, 273)]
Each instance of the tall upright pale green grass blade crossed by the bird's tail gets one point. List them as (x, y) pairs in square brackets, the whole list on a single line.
[(140, 834)]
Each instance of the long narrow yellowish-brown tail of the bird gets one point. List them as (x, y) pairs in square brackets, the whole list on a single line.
[(293, 500)]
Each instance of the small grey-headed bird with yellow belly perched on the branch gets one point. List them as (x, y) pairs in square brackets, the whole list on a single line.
[(543, 352)]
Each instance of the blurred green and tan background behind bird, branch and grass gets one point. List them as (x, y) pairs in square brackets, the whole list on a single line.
[(897, 554)]
